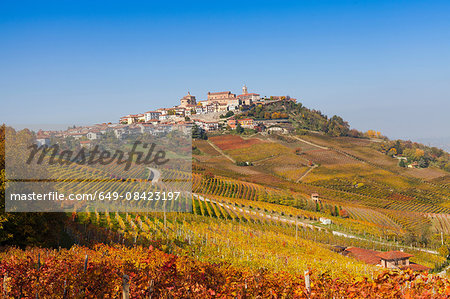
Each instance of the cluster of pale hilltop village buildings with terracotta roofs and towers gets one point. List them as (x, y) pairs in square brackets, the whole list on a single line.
[(218, 111)]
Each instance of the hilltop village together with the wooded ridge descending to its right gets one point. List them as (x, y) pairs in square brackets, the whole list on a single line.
[(248, 113)]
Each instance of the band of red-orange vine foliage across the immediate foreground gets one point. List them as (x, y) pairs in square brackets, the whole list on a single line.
[(108, 271)]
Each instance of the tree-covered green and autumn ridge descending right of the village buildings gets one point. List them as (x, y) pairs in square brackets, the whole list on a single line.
[(299, 119)]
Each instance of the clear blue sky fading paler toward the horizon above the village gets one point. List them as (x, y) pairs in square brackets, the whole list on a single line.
[(382, 65)]
